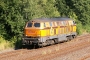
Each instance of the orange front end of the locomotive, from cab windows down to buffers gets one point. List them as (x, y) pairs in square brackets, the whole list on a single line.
[(32, 33)]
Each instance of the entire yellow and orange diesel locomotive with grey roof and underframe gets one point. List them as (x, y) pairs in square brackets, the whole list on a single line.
[(46, 31)]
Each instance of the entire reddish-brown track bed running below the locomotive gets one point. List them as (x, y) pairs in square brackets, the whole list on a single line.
[(76, 49)]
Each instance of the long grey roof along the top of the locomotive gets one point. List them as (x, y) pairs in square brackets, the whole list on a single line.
[(50, 19)]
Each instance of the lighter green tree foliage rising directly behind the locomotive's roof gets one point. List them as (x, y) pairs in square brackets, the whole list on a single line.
[(37, 9)]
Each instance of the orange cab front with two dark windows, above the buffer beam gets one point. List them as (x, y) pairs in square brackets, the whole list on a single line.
[(32, 29)]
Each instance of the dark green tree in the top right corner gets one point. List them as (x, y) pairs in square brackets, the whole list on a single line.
[(81, 8)]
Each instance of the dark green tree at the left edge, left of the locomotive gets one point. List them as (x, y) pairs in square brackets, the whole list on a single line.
[(11, 20)]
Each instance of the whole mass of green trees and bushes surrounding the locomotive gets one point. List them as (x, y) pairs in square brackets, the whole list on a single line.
[(15, 13)]
